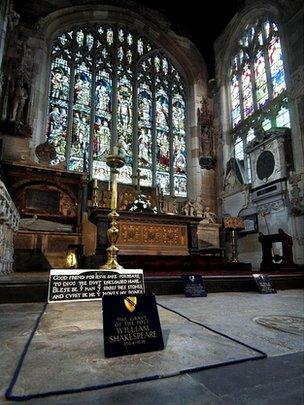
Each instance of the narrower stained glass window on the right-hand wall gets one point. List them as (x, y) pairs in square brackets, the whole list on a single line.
[(257, 85)]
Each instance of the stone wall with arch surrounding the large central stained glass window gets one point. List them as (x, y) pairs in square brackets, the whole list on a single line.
[(28, 51)]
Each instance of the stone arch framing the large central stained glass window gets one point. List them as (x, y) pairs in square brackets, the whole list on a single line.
[(182, 52)]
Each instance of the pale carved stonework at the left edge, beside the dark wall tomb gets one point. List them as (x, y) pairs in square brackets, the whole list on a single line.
[(9, 222)]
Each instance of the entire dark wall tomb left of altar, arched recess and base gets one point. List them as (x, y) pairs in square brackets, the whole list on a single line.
[(49, 202)]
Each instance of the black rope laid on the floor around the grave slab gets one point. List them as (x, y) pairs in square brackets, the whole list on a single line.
[(10, 396)]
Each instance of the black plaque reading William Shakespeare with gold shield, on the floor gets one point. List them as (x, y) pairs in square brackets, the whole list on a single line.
[(131, 325)]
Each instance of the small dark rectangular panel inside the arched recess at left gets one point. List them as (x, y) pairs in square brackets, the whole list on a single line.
[(42, 200)]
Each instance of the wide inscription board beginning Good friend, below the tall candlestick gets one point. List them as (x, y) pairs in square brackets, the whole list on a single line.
[(87, 285)]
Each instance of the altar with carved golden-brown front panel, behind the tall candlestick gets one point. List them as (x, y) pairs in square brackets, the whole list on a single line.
[(148, 233)]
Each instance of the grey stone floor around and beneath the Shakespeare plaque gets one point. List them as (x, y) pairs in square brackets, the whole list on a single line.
[(66, 352)]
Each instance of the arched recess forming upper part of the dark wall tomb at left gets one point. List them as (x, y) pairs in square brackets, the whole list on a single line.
[(48, 194)]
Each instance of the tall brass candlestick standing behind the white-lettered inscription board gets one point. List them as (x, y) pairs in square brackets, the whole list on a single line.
[(115, 162)]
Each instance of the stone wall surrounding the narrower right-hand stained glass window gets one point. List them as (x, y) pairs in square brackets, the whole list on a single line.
[(280, 209)]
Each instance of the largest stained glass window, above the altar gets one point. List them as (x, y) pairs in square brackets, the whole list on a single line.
[(110, 86)]
